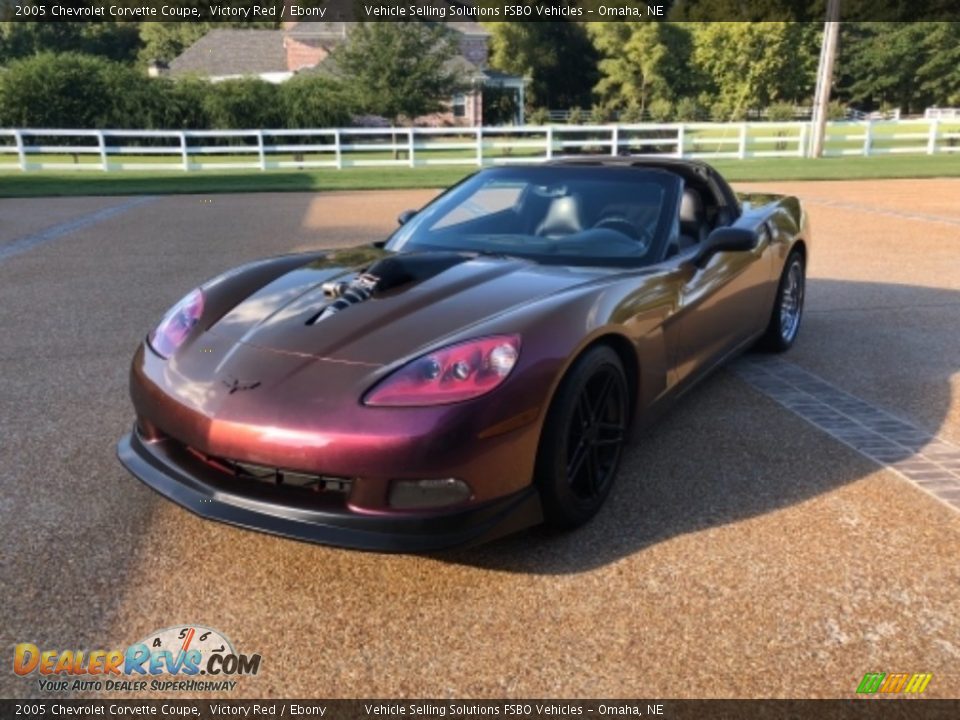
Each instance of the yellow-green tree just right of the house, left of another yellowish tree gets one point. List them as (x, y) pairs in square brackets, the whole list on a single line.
[(641, 62)]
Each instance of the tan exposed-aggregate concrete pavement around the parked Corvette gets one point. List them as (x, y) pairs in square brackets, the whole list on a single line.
[(743, 553)]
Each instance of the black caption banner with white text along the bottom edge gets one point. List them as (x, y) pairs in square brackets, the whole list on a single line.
[(854, 709)]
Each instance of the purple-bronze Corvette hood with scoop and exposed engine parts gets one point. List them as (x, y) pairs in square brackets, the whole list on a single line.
[(422, 299)]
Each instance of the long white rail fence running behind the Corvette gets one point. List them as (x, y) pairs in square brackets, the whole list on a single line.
[(117, 150)]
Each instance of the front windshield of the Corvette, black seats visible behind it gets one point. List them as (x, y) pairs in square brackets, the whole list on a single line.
[(569, 215)]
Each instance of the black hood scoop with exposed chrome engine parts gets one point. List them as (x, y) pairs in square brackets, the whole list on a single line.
[(382, 276)]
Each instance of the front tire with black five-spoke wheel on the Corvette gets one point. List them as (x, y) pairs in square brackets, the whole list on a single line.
[(583, 439)]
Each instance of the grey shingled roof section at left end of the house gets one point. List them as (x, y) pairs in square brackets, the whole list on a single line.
[(233, 52)]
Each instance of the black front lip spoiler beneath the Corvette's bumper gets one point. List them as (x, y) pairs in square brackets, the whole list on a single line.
[(179, 477)]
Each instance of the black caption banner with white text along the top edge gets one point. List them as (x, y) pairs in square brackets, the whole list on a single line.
[(470, 10)]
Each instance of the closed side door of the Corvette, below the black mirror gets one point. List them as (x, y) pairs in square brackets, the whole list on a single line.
[(721, 304)]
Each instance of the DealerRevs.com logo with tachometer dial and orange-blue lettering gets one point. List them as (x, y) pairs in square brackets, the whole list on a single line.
[(186, 658)]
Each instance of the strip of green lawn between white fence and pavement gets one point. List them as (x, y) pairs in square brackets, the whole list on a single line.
[(83, 182)]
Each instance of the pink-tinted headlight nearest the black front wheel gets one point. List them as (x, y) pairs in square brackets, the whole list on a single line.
[(451, 374)]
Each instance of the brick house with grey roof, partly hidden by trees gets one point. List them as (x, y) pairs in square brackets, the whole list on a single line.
[(277, 55)]
